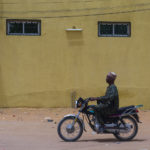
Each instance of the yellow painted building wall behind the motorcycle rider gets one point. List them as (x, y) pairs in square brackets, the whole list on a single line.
[(52, 69)]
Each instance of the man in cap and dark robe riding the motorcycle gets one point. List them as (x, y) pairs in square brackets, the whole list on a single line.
[(106, 104)]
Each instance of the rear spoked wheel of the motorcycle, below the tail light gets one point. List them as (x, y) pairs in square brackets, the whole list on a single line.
[(127, 131)]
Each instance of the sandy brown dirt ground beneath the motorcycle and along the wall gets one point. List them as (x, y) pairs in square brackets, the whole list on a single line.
[(29, 129)]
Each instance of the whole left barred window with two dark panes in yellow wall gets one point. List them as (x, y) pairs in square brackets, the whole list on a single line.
[(23, 27)]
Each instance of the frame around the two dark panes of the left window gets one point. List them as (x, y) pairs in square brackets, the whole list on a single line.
[(8, 21)]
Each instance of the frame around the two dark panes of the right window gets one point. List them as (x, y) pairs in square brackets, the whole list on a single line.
[(113, 34)]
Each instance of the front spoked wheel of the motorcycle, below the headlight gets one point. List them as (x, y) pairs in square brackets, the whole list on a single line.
[(67, 132)]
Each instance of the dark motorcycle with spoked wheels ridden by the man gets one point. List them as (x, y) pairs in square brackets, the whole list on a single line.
[(123, 124)]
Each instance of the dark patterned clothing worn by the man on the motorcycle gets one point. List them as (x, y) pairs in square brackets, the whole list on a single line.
[(107, 104)]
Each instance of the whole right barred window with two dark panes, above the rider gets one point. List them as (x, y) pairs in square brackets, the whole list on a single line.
[(114, 29)]
